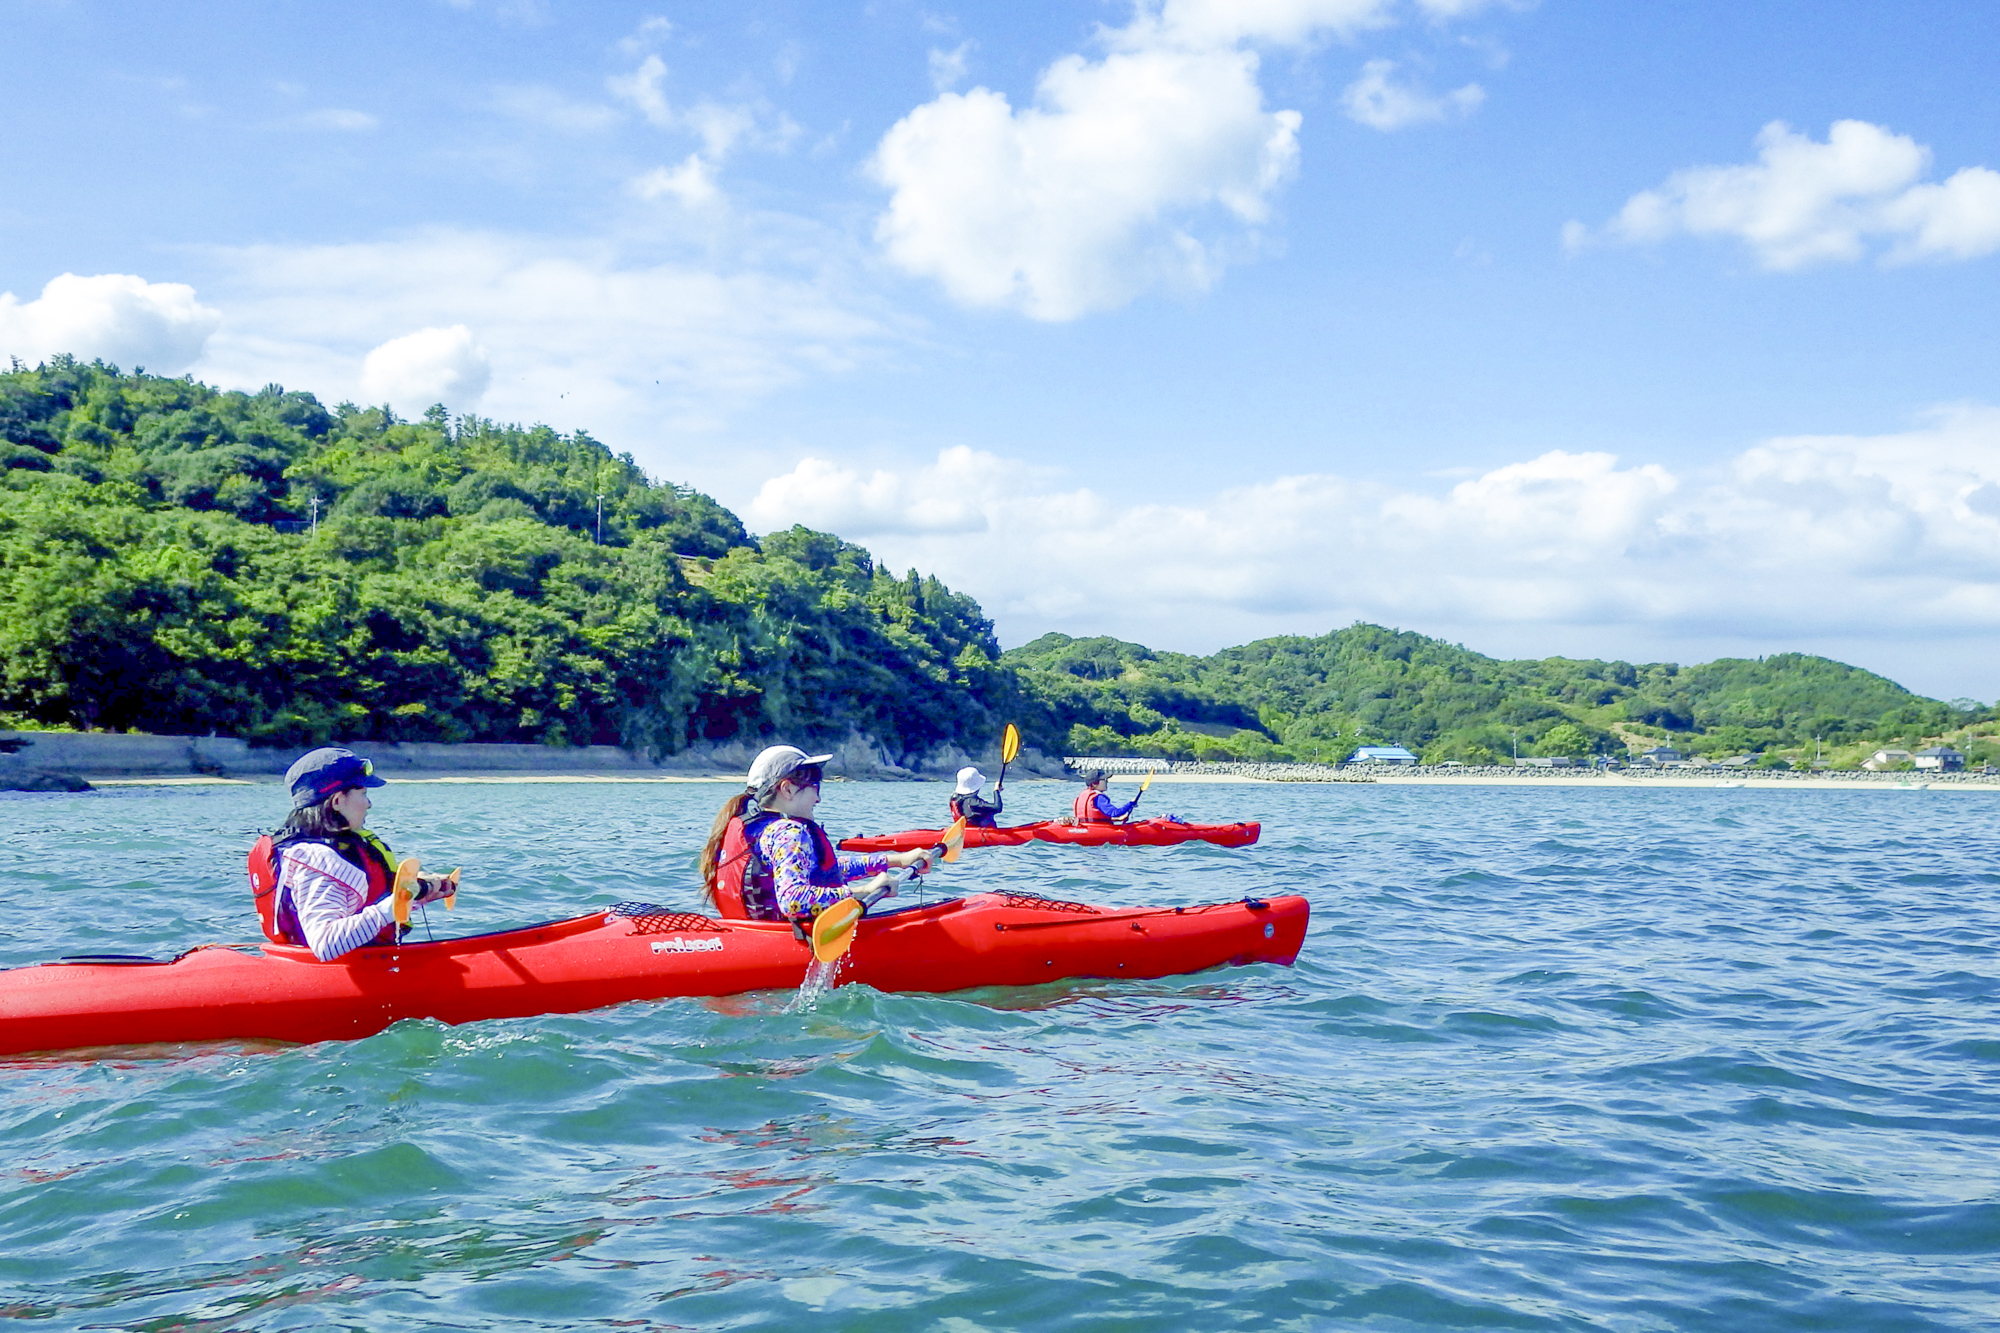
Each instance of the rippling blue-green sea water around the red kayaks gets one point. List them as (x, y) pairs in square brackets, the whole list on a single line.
[(1551, 1060)]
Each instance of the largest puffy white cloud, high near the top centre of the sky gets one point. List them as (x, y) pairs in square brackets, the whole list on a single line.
[(1075, 205)]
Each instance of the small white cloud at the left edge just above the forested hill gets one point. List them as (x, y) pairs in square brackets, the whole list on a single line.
[(115, 317)]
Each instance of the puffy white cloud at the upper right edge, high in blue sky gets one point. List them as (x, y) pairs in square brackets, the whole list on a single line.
[(1805, 201)]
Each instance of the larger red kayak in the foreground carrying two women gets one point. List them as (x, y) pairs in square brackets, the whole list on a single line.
[(627, 954)]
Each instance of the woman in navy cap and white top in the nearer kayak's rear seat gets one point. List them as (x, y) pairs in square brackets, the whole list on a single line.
[(325, 882)]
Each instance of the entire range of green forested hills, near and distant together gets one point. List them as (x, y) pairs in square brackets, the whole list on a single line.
[(183, 559)]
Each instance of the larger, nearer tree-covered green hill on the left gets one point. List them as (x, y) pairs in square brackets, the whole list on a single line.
[(181, 559)]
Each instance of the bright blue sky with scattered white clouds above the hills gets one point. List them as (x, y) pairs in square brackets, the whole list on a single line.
[(1591, 329)]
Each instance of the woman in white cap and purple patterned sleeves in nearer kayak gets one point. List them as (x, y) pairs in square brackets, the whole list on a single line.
[(767, 860)]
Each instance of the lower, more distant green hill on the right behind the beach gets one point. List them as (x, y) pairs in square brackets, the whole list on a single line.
[(1369, 686)]
